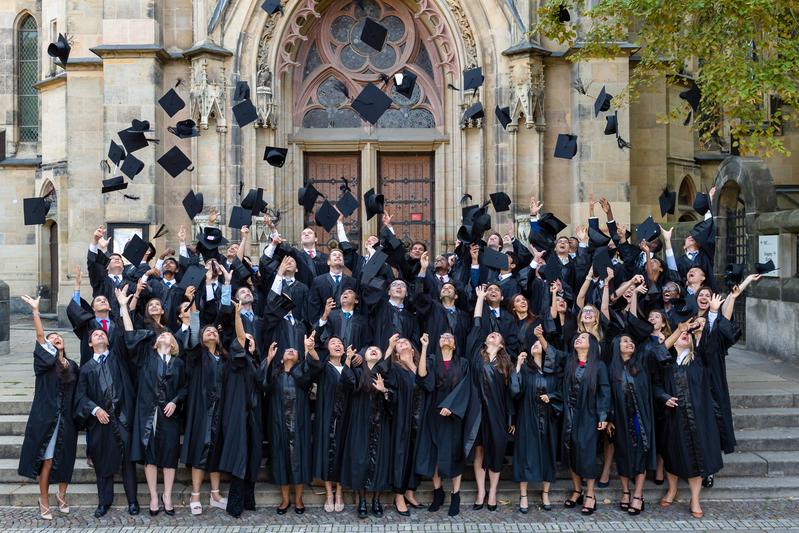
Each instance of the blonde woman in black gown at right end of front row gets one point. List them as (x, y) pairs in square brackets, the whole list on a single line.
[(694, 451)]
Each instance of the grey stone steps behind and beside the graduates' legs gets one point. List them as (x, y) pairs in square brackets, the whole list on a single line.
[(766, 465)]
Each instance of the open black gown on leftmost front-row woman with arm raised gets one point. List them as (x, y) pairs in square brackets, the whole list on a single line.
[(53, 397)]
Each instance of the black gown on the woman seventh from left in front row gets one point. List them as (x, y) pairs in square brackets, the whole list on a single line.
[(329, 424)]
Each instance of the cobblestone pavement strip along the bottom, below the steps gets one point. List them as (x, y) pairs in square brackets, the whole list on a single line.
[(772, 515)]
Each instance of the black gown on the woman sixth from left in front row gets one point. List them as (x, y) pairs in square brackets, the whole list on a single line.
[(290, 431)]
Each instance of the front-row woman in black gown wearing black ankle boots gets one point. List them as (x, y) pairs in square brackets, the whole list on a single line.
[(441, 450)]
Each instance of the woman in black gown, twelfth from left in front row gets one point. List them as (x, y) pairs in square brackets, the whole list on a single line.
[(536, 389)]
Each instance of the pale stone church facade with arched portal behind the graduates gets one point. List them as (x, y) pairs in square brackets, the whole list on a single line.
[(58, 123)]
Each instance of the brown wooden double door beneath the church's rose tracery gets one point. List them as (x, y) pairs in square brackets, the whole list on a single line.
[(405, 179)]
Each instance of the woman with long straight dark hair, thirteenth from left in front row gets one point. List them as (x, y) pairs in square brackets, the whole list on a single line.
[(586, 404)]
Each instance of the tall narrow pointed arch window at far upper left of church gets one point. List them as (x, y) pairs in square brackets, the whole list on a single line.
[(27, 75)]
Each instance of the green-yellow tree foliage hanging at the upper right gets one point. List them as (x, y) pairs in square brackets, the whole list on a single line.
[(741, 54)]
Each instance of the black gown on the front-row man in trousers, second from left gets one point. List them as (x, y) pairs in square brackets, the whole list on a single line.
[(109, 387)]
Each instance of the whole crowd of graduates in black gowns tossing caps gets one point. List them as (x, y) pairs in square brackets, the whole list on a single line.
[(372, 369)]
